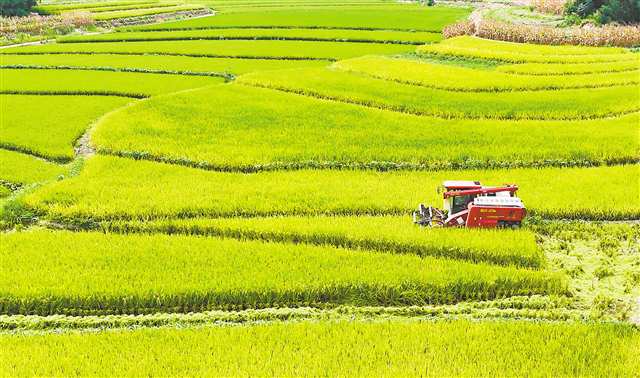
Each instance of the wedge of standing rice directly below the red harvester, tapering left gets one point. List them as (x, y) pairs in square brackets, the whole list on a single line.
[(385, 234)]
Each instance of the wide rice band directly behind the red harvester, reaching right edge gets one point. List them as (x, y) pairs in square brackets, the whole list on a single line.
[(118, 188)]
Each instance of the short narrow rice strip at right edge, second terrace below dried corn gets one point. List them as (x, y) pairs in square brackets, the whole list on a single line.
[(569, 69)]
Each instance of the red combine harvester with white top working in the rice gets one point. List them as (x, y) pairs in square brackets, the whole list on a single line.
[(469, 204)]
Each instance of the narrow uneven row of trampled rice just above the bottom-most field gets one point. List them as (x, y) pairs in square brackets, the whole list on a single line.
[(524, 307)]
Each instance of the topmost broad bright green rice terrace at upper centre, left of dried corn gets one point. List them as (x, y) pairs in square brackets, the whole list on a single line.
[(394, 17)]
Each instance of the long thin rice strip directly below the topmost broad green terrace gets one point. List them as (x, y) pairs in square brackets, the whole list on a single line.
[(340, 35)]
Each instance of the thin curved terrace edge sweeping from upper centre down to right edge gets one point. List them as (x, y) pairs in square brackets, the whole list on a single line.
[(405, 110)]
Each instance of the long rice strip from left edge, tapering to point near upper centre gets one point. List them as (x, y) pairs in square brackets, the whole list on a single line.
[(176, 64)]
